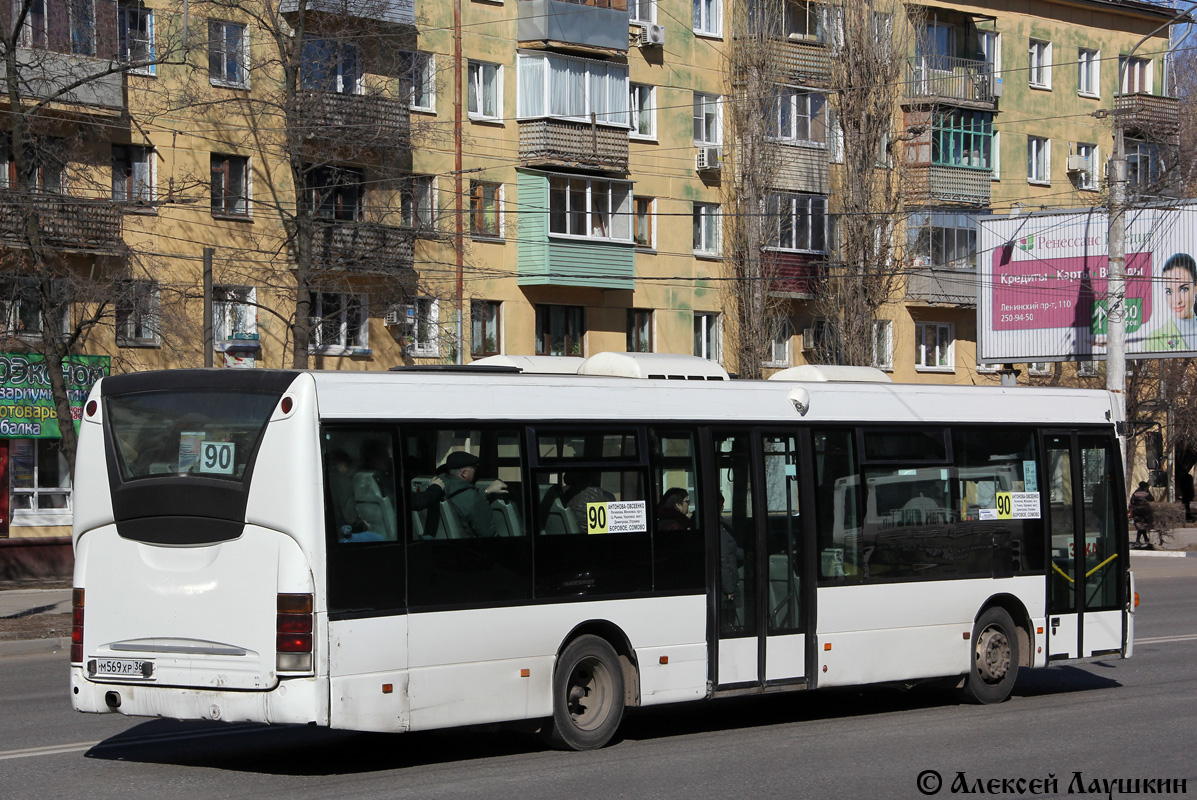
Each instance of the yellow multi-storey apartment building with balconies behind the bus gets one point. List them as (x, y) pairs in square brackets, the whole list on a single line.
[(374, 183)]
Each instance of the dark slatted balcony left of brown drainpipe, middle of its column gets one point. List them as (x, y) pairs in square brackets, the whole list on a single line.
[(355, 120)]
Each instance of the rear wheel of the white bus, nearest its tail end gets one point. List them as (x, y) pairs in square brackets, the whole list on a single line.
[(588, 695)]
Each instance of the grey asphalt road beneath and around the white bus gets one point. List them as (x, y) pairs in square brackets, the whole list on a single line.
[(1109, 720)]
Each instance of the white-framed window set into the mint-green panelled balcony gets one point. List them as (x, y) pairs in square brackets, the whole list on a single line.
[(591, 208)]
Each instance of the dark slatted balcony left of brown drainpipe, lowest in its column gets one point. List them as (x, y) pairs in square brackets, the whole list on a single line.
[(364, 247)]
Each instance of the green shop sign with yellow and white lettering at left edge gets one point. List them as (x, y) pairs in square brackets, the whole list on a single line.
[(27, 403)]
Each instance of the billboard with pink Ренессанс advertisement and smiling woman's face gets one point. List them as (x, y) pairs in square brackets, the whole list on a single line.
[(1043, 286)]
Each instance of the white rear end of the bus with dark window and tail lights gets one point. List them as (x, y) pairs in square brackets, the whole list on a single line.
[(195, 593)]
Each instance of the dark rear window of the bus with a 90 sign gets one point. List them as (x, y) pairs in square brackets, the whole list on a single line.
[(171, 434)]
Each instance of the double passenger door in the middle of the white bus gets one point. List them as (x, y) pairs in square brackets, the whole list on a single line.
[(759, 614)]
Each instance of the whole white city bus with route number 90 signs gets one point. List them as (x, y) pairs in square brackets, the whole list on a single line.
[(275, 547)]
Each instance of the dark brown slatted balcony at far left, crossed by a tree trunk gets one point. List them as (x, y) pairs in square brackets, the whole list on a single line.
[(66, 223)]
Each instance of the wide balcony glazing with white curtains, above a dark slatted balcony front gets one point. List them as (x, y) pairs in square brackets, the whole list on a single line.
[(574, 89)]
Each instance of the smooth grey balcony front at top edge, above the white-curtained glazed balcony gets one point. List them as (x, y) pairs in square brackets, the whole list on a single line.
[(598, 25)]
